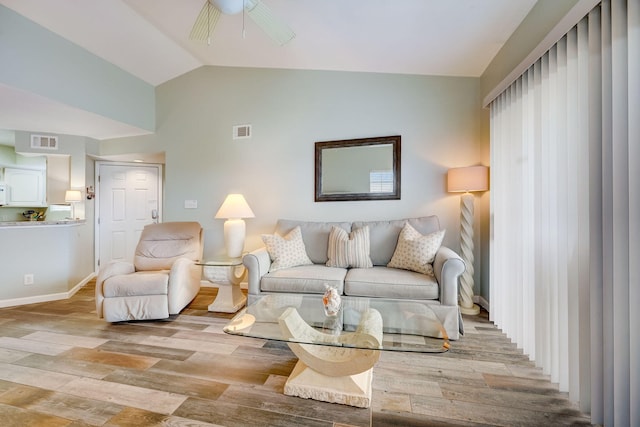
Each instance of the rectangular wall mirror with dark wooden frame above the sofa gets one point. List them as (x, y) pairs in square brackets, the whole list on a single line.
[(358, 169)]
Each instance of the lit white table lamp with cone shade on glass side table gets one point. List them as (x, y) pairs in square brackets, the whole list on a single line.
[(234, 208)]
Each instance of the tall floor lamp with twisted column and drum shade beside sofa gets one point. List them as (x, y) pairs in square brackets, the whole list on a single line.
[(467, 180)]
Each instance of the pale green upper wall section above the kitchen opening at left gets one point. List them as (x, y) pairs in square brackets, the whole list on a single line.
[(38, 61)]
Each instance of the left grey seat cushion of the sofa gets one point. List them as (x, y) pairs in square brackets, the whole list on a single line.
[(308, 279)]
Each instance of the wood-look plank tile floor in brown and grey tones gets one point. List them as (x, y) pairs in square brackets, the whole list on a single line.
[(62, 366)]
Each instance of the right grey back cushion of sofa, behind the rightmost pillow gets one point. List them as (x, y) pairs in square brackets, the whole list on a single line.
[(383, 235)]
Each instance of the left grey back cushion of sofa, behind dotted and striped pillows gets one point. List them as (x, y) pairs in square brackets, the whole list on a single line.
[(315, 236)]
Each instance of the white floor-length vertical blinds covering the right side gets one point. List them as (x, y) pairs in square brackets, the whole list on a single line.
[(565, 202)]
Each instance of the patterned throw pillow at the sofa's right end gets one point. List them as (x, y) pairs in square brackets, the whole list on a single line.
[(416, 252)]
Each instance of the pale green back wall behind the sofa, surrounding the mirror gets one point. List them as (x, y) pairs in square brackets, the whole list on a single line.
[(439, 119)]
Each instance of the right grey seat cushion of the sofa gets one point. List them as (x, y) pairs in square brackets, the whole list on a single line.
[(384, 282)]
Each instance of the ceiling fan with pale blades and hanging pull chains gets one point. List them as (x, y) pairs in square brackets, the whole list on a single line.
[(257, 11)]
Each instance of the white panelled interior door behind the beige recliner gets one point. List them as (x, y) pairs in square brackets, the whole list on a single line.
[(129, 198)]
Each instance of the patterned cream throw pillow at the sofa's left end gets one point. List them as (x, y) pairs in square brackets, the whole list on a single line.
[(287, 251)]
